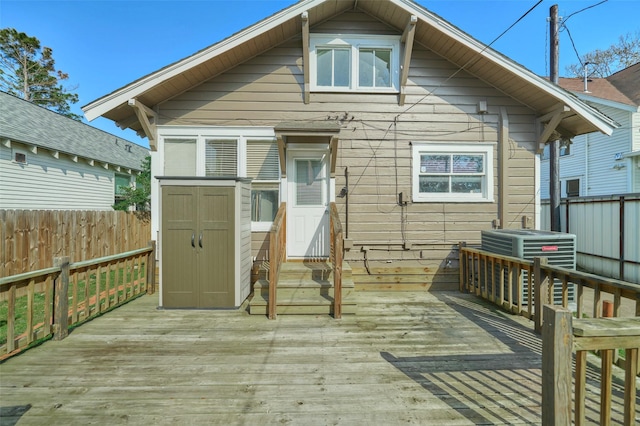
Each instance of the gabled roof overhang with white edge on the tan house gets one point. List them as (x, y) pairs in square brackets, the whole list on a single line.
[(431, 31)]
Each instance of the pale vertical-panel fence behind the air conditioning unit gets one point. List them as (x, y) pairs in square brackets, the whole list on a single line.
[(607, 233)]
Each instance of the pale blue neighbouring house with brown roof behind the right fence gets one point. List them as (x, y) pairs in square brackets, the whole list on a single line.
[(596, 164)]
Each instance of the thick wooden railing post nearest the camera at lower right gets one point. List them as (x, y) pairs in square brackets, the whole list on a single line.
[(557, 347)]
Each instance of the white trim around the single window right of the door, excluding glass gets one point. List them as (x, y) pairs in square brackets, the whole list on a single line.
[(452, 148)]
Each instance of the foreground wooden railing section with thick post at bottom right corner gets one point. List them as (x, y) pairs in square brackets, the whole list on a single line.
[(561, 336)]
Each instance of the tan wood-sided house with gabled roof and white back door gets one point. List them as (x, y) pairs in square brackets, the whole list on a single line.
[(421, 135)]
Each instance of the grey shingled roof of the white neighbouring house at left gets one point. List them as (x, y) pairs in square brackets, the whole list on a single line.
[(25, 122)]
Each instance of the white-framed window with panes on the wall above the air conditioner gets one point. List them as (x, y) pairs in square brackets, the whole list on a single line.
[(452, 172)]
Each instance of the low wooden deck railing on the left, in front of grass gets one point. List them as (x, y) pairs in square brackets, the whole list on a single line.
[(55, 298)]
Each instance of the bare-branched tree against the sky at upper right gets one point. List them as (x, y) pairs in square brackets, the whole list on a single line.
[(603, 63)]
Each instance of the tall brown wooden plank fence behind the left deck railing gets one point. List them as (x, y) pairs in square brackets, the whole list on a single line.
[(31, 239)]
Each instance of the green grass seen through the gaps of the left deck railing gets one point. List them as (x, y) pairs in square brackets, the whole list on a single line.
[(84, 287)]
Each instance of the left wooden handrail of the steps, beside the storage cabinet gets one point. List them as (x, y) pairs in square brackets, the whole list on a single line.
[(277, 254)]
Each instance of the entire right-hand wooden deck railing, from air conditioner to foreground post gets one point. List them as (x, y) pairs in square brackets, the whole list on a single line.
[(504, 280)]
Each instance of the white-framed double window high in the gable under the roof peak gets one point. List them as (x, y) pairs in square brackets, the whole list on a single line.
[(354, 63)]
